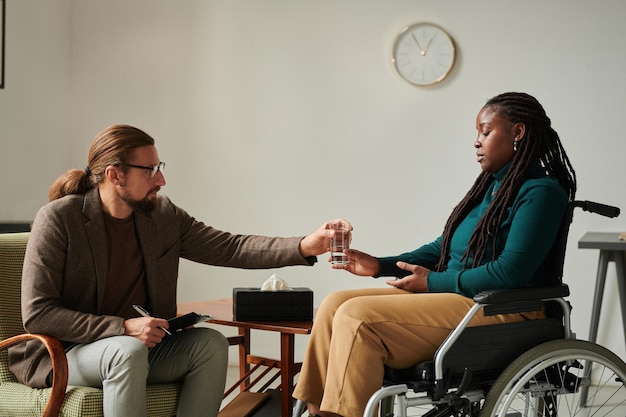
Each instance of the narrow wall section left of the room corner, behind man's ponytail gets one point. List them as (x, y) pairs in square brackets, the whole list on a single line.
[(34, 105)]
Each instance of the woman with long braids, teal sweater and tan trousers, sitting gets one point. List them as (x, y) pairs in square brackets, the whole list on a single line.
[(496, 237)]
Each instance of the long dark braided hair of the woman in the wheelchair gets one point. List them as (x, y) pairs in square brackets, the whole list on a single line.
[(541, 143)]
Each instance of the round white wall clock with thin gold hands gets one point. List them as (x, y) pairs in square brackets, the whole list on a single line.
[(423, 54)]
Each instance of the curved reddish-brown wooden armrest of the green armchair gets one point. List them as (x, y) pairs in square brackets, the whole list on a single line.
[(59, 367)]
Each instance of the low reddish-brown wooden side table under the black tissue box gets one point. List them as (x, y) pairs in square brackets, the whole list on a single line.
[(222, 312)]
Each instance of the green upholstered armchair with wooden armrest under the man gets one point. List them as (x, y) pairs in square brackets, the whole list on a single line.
[(59, 400)]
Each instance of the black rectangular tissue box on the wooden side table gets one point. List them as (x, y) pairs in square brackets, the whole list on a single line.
[(252, 304)]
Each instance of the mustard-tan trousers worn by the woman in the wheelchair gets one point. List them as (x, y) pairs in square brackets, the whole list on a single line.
[(356, 332)]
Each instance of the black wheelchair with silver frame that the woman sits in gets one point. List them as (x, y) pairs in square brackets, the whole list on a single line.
[(532, 368)]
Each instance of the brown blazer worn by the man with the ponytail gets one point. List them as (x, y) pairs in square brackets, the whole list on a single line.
[(65, 269)]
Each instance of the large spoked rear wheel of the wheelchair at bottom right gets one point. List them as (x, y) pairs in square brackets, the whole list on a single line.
[(553, 379)]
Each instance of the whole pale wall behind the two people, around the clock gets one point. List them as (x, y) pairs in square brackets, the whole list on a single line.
[(274, 116)]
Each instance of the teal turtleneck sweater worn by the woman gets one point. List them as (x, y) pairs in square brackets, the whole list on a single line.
[(524, 240)]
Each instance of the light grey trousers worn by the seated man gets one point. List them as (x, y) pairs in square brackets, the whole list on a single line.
[(122, 366)]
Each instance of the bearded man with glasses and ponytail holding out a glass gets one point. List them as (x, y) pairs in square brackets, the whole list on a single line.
[(107, 241)]
